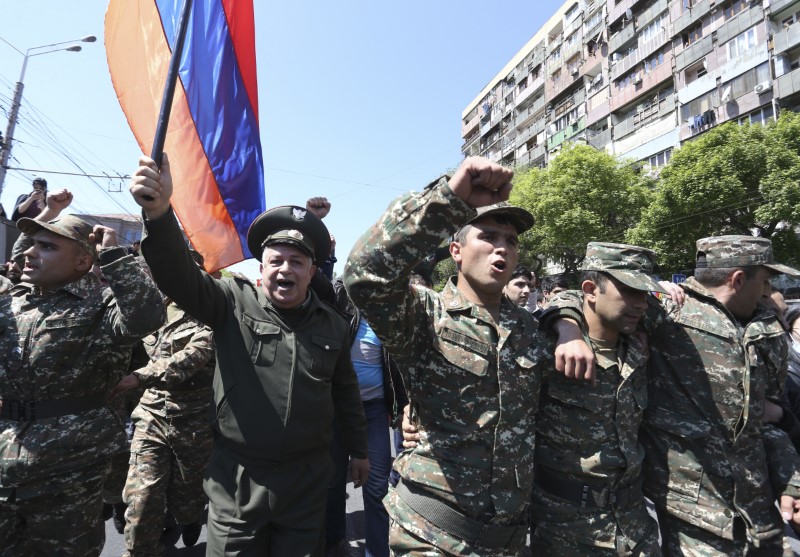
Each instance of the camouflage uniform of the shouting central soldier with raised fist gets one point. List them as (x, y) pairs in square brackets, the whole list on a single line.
[(473, 383)]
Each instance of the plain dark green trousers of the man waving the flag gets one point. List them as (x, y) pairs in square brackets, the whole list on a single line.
[(256, 512)]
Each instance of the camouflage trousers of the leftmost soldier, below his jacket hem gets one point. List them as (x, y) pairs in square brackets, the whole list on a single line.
[(55, 517)]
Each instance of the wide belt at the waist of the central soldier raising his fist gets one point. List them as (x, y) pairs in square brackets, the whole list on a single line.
[(462, 527)]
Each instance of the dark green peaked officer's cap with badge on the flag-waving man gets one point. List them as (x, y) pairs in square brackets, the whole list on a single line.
[(290, 225)]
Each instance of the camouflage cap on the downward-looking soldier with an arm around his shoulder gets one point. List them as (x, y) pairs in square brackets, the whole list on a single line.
[(631, 265)]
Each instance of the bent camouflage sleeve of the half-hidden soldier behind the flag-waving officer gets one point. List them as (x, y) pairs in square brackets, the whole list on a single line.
[(183, 364)]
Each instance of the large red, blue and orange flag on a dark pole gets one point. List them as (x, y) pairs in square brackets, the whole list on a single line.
[(213, 135)]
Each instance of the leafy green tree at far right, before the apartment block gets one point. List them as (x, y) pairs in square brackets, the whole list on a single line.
[(731, 180)]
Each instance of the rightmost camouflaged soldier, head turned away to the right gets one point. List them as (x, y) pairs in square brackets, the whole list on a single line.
[(712, 468)]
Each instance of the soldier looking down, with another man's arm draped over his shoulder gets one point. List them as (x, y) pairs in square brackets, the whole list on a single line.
[(587, 497)]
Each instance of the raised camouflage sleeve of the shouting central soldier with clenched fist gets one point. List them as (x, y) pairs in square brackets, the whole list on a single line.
[(378, 269)]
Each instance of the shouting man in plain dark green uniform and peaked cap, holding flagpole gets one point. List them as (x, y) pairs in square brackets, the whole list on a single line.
[(283, 364)]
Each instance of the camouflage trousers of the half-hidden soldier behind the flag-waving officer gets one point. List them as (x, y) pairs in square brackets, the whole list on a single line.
[(168, 459)]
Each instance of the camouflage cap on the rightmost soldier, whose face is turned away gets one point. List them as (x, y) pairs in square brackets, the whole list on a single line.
[(718, 252)]
